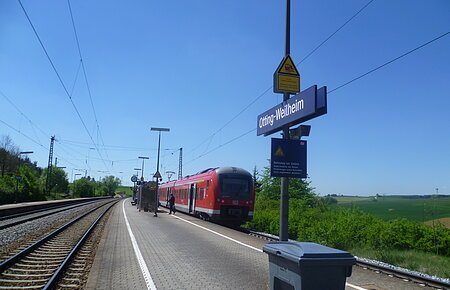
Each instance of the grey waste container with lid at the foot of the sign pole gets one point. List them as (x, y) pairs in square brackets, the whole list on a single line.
[(296, 265)]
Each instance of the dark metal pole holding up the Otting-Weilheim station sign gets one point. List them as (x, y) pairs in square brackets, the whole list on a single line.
[(284, 201)]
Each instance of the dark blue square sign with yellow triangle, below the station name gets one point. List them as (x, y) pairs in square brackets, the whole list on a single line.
[(288, 158)]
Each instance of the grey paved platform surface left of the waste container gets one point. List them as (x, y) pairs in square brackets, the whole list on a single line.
[(177, 253)]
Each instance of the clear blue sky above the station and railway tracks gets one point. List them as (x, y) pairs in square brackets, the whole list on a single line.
[(193, 66)]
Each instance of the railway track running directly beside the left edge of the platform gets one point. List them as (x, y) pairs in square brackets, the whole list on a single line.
[(64, 251)]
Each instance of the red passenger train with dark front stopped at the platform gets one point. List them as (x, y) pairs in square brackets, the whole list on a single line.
[(223, 194)]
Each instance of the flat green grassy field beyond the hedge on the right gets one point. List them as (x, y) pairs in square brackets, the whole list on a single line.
[(394, 207)]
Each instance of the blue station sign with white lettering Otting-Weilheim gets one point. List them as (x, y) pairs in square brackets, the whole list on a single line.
[(301, 107)]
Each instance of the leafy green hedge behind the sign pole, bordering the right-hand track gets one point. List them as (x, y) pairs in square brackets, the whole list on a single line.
[(311, 220)]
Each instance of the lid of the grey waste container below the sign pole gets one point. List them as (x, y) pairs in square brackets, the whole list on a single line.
[(303, 252)]
